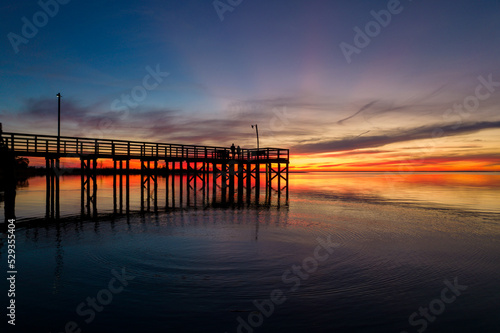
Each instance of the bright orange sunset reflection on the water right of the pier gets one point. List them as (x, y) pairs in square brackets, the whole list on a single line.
[(476, 191)]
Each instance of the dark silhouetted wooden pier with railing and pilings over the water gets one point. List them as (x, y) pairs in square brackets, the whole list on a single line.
[(192, 175)]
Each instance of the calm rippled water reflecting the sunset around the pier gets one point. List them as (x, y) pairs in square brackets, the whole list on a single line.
[(389, 243)]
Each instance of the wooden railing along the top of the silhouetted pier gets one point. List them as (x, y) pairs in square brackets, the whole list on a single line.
[(64, 146)]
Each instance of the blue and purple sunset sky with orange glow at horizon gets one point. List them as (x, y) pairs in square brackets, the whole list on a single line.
[(345, 85)]
